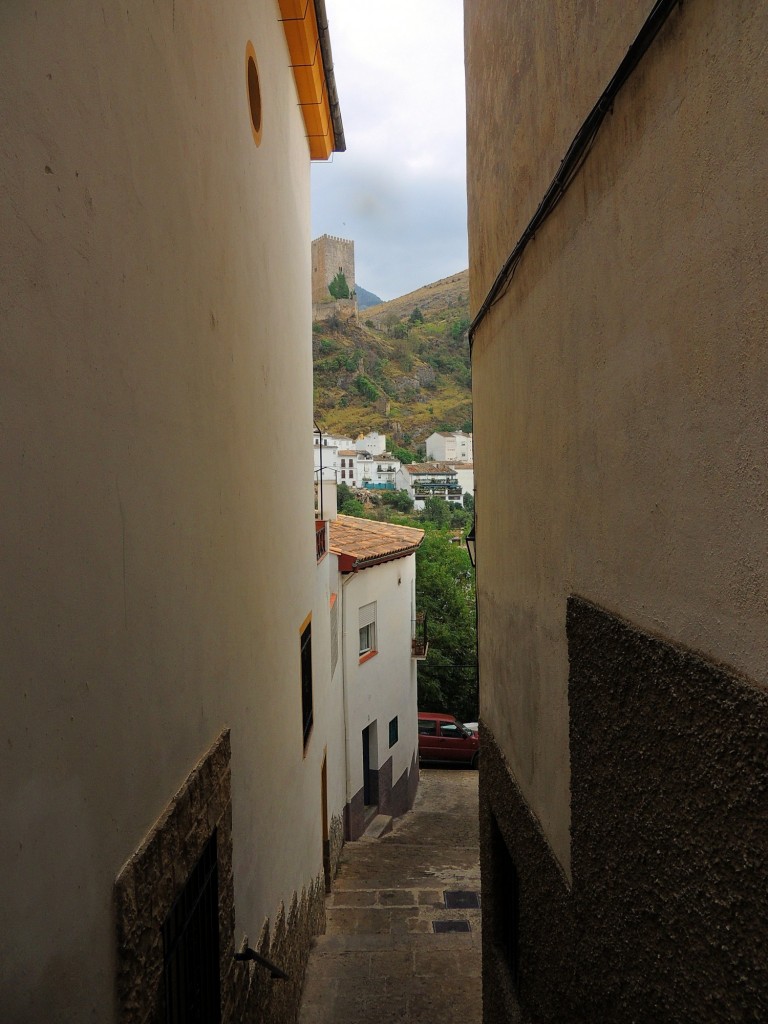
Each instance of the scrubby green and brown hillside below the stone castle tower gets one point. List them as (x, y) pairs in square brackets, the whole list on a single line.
[(402, 370)]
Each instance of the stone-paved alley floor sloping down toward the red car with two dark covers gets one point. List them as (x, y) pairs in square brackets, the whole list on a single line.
[(386, 957)]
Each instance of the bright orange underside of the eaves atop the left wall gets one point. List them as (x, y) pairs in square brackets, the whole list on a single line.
[(301, 27)]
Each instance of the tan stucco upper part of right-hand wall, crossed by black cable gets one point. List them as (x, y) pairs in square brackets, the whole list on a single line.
[(620, 387)]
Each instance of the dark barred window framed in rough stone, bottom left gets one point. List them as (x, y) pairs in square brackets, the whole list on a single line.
[(191, 947)]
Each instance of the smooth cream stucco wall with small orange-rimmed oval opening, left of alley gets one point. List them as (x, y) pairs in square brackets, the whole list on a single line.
[(155, 580)]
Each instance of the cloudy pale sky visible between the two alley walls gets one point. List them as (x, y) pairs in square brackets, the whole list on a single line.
[(399, 192)]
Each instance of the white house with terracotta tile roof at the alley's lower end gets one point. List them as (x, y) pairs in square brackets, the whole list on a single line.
[(374, 658)]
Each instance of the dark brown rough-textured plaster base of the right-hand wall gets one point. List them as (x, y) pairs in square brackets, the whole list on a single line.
[(663, 922)]
